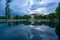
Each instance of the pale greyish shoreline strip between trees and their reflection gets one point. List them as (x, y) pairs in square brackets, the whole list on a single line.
[(38, 20)]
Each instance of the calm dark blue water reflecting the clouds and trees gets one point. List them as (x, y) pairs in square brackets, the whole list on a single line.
[(27, 31)]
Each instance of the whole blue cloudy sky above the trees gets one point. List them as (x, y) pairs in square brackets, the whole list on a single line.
[(22, 7)]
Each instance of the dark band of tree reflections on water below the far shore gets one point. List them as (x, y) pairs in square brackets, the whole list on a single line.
[(50, 24)]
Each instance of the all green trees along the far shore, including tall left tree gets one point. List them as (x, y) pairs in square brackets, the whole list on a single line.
[(55, 15)]
